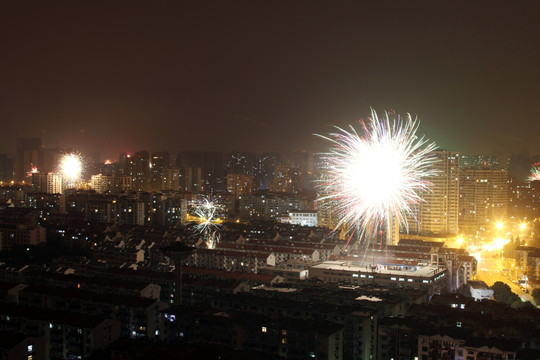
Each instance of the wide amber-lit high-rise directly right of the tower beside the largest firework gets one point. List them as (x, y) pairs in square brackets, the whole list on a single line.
[(483, 197)]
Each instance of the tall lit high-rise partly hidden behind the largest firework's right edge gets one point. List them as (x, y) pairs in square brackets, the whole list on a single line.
[(439, 213)]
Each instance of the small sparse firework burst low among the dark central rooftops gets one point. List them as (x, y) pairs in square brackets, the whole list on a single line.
[(207, 219)]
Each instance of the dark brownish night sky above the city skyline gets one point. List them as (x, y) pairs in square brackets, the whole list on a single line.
[(104, 76)]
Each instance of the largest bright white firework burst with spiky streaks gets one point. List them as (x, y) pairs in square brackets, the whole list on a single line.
[(376, 177)]
